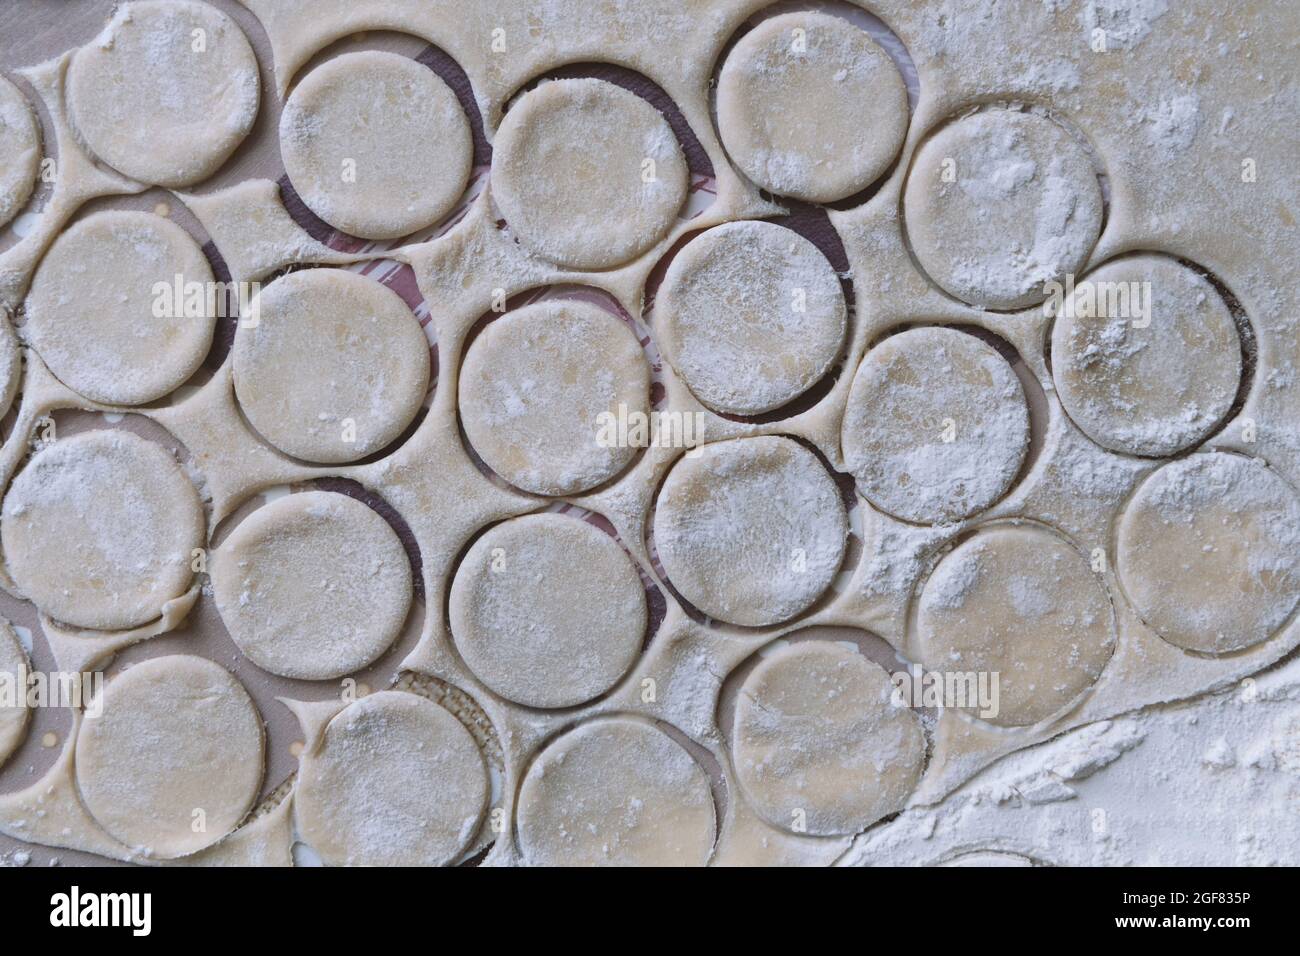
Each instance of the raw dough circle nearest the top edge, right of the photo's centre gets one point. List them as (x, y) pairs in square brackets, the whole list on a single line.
[(811, 107)]
